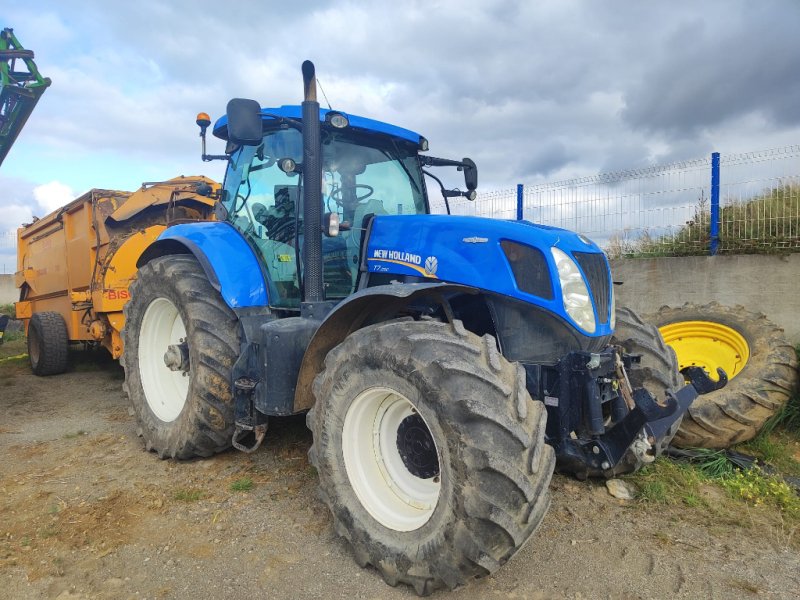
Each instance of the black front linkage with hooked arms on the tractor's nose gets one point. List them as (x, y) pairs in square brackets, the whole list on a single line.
[(598, 424)]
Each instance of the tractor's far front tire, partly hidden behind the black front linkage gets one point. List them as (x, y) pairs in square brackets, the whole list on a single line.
[(657, 371)]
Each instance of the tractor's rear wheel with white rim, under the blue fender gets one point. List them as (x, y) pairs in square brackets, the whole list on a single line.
[(181, 341)]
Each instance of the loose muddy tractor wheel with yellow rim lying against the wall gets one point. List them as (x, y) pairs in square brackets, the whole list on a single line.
[(760, 363)]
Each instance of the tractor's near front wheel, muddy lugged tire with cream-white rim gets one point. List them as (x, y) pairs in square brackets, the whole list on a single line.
[(430, 452)]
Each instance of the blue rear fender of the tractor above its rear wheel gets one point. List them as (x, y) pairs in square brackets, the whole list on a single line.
[(232, 260)]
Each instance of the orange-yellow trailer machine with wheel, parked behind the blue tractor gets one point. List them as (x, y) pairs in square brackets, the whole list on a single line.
[(74, 266)]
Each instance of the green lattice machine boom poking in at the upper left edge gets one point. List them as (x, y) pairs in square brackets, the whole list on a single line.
[(21, 86)]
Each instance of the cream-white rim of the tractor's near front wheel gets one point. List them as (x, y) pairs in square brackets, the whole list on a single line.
[(390, 493)]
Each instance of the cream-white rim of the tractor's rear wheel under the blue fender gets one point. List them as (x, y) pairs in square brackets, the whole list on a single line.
[(165, 390)]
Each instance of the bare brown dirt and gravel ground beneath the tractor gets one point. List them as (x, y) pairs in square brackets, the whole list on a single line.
[(86, 513)]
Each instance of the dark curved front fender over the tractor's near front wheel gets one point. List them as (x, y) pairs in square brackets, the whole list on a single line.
[(367, 306)]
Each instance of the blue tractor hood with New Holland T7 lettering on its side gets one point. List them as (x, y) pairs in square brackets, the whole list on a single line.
[(467, 251)]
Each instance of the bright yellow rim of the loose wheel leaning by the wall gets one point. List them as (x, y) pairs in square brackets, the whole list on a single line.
[(707, 345)]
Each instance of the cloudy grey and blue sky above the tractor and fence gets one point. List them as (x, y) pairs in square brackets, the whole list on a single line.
[(533, 91)]
